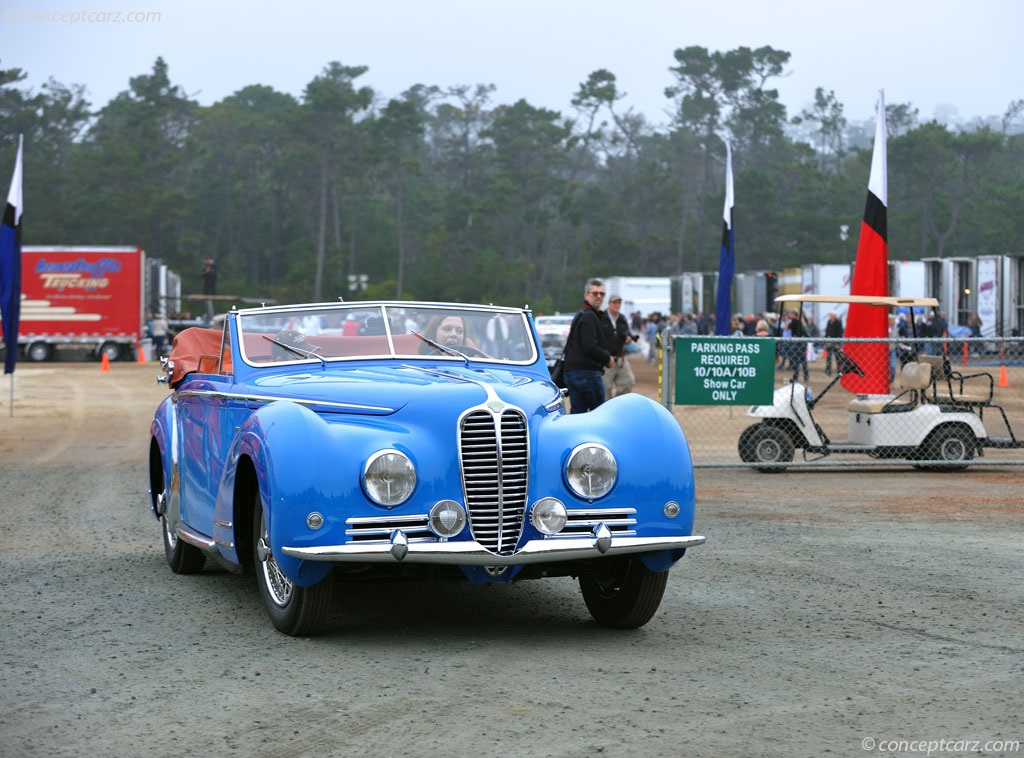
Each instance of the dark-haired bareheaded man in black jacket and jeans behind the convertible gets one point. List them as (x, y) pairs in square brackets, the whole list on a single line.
[(586, 353)]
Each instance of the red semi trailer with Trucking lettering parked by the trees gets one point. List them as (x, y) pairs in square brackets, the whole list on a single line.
[(88, 298)]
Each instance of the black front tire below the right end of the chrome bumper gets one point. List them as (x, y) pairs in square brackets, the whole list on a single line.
[(622, 594)]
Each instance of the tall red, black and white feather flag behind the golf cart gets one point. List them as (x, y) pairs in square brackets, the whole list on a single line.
[(871, 277)]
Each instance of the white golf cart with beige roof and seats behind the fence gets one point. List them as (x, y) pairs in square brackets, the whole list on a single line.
[(934, 419)]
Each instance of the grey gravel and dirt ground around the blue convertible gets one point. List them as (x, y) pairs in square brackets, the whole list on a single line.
[(843, 613)]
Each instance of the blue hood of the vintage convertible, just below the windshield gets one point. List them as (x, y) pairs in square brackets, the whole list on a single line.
[(383, 391)]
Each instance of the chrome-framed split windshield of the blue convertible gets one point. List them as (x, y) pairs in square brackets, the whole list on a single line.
[(362, 331)]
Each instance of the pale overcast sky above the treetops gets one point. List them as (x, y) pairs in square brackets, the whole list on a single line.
[(937, 55)]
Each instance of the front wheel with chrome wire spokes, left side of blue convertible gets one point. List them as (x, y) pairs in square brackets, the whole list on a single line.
[(297, 612)]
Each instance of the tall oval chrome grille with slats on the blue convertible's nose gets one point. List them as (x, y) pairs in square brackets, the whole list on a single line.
[(495, 460)]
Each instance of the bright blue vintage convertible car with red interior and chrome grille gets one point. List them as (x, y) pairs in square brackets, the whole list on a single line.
[(315, 445)]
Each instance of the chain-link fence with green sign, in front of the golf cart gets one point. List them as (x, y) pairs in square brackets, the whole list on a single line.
[(778, 403)]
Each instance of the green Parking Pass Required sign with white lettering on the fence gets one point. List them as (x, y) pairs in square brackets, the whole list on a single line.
[(724, 371)]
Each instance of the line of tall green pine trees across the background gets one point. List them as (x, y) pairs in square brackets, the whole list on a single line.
[(444, 194)]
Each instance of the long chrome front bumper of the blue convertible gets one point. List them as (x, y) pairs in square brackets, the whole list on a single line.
[(400, 549)]
